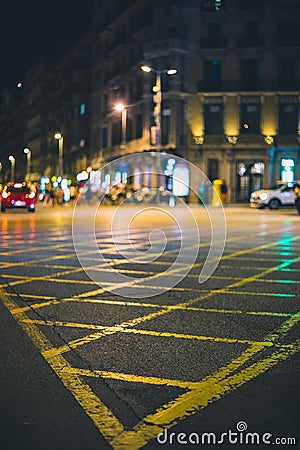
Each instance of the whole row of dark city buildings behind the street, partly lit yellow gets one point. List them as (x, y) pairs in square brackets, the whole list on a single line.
[(230, 104)]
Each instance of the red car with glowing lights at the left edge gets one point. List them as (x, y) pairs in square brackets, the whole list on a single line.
[(17, 195)]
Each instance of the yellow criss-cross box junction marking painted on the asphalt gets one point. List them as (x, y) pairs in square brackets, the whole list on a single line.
[(199, 394)]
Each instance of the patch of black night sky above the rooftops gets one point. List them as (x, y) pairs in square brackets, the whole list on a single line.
[(31, 30)]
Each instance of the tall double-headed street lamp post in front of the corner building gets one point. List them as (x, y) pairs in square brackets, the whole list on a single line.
[(157, 98)]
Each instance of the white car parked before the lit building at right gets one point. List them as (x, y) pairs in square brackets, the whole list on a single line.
[(280, 194)]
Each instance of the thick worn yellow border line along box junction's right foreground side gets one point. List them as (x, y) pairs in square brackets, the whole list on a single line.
[(209, 389)]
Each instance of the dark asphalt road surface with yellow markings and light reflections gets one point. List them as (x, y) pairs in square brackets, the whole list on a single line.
[(104, 347)]
